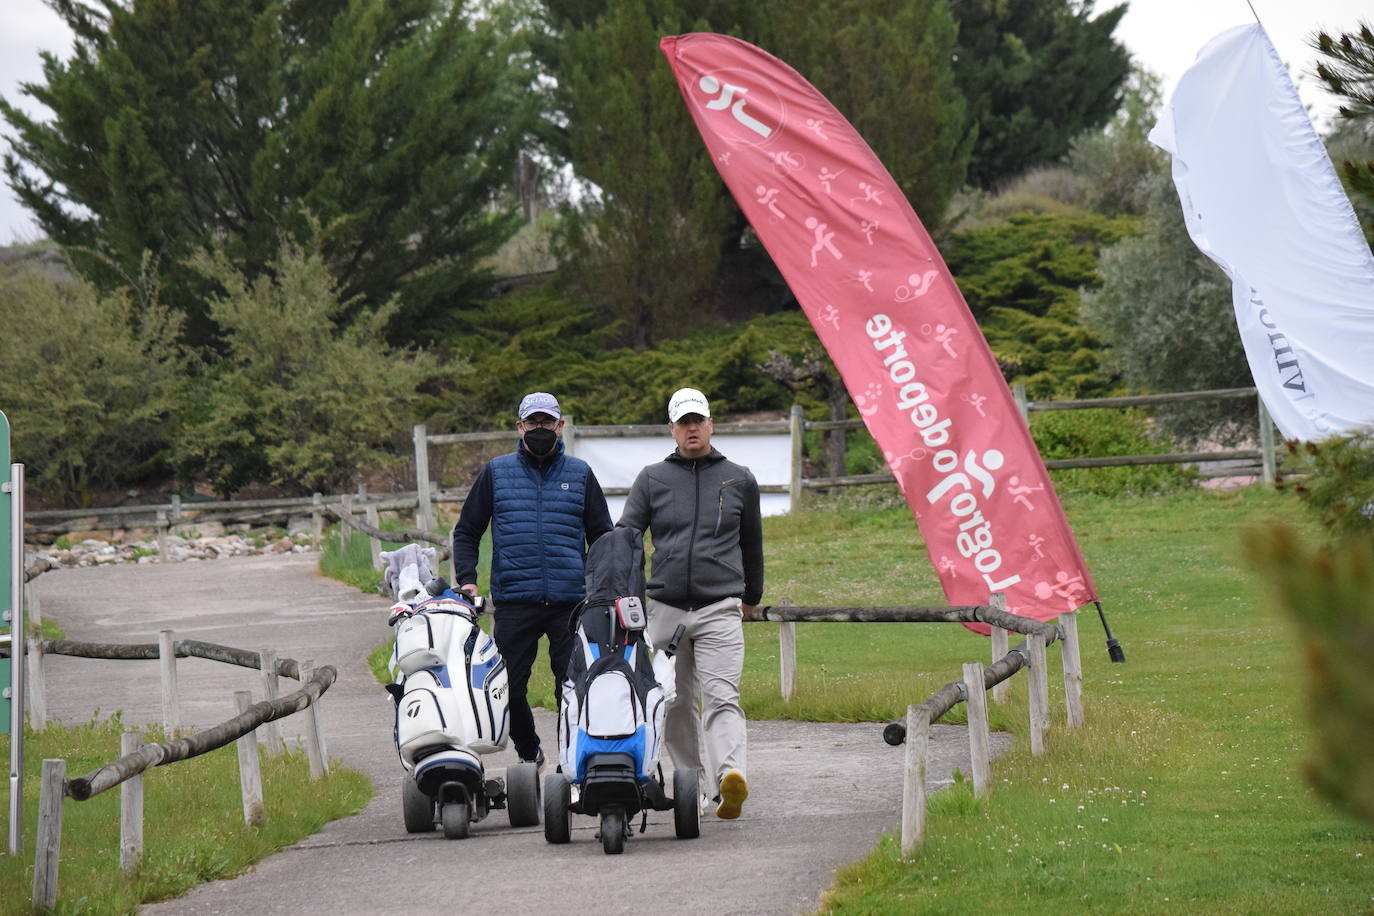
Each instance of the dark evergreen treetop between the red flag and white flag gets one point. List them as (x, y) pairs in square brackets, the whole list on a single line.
[(1035, 73)]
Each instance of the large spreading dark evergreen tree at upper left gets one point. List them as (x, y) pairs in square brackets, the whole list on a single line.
[(177, 126)]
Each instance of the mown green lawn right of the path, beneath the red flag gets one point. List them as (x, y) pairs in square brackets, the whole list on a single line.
[(1182, 792)]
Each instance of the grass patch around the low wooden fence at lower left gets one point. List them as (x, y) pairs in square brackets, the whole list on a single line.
[(193, 825)]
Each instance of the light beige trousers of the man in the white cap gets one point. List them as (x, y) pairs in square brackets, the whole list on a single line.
[(706, 727)]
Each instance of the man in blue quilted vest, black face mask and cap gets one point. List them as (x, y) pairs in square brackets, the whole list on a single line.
[(545, 510)]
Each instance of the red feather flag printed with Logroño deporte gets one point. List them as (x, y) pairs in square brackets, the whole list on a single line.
[(890, 314)]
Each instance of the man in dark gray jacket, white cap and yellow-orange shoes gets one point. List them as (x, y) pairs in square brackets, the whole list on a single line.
[(708, 566)]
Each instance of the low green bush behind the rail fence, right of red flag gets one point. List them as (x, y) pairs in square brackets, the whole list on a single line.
[(1101, 432)]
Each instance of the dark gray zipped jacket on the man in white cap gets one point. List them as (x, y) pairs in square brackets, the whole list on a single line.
[(707, 529)]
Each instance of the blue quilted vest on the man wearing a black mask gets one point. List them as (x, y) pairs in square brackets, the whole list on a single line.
[(538, 536)]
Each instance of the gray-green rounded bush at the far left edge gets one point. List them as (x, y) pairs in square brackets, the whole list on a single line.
[(91, 382)]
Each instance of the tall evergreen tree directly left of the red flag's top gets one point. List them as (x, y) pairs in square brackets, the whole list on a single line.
[(646, 240)]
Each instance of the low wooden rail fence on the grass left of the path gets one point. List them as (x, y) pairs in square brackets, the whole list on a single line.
[(137, 756)]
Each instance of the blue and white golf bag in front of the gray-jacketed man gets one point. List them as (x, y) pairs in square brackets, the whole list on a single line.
[(615, 698)]
